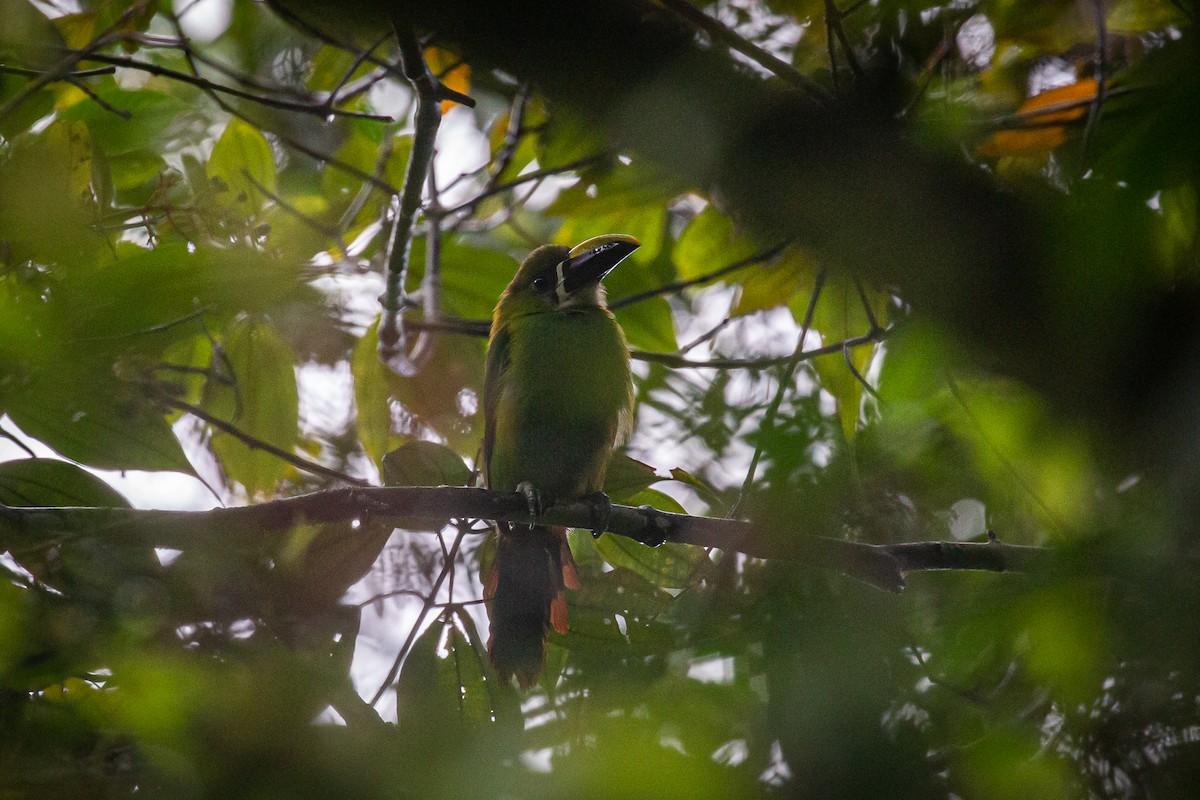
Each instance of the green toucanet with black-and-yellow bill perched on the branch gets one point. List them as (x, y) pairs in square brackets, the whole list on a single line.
[(559, 395)]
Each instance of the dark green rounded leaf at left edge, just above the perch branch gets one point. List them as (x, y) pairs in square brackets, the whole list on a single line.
[(51, 483)]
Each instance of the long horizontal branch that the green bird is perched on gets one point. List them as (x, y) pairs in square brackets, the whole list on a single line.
[(881, 566)]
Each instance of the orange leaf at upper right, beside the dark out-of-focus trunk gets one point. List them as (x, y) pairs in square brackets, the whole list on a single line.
[(1047, 122)]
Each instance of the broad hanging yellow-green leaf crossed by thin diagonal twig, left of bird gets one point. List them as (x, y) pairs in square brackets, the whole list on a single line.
[(263, 402)]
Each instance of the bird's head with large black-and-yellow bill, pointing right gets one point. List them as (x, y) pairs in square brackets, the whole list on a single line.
[(556, 278)]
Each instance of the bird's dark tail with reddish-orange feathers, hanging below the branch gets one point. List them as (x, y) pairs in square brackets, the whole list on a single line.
[(533, 566)]
